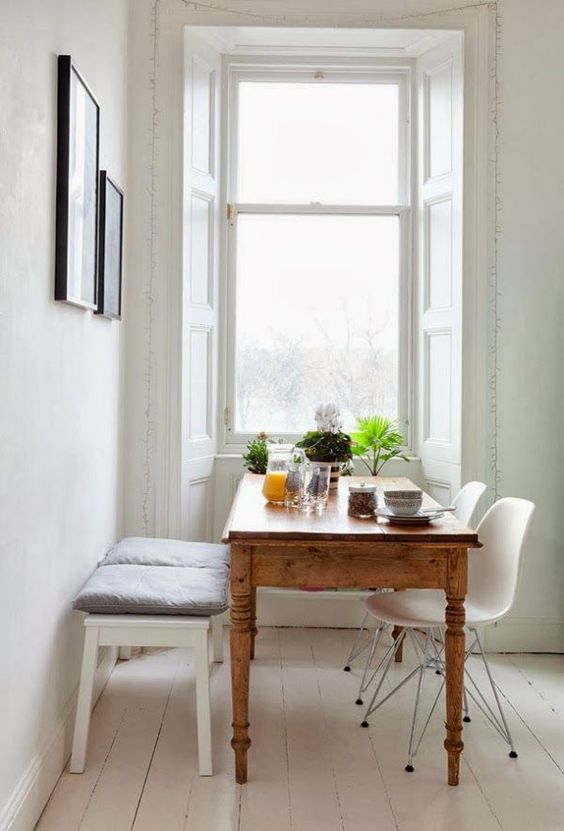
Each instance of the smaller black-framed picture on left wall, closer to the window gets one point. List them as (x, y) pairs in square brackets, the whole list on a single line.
[(110, 245)]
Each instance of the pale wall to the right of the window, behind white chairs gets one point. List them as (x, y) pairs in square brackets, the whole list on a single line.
[(530, 304)]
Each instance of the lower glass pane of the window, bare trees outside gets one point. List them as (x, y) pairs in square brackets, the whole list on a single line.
[(316, 319)]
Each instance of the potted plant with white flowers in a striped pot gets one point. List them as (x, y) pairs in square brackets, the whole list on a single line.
[(328, 443)]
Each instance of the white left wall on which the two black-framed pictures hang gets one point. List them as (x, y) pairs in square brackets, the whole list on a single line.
[(60, 490)]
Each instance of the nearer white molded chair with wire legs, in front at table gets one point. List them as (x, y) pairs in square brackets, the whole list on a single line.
[(493, 575)]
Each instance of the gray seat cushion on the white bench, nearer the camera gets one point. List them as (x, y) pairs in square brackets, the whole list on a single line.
[(155, 590)]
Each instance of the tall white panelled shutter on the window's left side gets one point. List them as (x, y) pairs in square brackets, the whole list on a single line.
[(202, 67)]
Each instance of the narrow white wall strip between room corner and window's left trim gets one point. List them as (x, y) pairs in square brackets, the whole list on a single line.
[(143, 309)]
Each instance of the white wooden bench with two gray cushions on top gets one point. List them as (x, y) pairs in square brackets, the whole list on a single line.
[(151, 592)]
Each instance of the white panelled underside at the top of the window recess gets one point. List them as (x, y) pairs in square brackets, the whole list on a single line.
[(260, 40)]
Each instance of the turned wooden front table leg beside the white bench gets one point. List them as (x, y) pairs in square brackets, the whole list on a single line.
[(241, 603)]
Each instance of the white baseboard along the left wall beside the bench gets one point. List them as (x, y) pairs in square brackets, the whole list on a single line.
[(32, 792)]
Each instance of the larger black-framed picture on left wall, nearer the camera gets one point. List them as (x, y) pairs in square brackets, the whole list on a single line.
[(78, 139)]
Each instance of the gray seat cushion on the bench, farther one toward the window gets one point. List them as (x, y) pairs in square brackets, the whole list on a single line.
[(146, 551)]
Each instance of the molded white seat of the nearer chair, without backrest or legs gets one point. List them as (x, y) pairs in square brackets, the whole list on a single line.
[(425, 608)]
